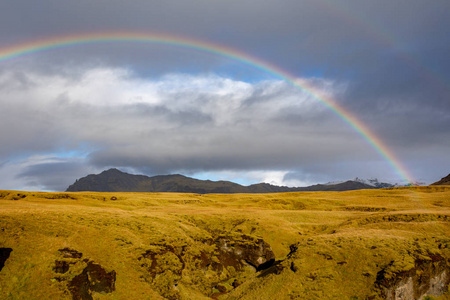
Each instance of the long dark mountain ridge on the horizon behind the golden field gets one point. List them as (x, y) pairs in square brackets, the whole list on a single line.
[(114, 180)]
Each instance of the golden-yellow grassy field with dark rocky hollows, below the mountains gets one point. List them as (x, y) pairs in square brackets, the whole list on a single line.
[(323, 245)]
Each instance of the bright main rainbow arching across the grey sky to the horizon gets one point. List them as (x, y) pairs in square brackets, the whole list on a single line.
[(40, 45)]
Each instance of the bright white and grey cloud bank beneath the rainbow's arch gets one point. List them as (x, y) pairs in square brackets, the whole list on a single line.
[(195, 123)]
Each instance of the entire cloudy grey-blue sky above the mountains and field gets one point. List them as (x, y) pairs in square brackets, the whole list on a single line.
[(155, 108)]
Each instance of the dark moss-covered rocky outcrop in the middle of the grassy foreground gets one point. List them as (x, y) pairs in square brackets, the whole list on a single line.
[(207, 264)]
